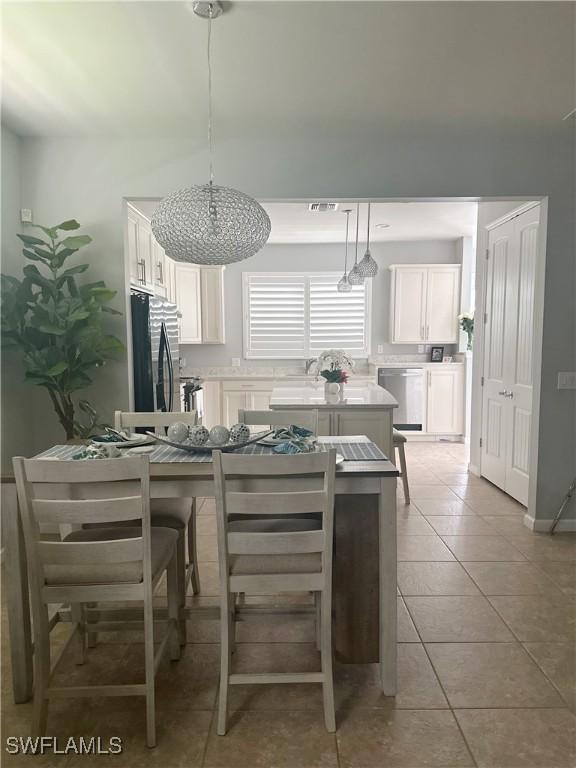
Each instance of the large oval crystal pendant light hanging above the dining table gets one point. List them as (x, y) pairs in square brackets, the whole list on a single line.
[(210, 224)]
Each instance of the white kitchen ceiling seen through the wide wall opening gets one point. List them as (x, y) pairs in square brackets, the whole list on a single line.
[(294, 223)]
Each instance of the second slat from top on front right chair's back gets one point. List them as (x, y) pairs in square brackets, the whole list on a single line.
[(275, 504)]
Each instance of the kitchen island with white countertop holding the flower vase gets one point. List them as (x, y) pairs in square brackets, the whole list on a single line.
[(364, 408)]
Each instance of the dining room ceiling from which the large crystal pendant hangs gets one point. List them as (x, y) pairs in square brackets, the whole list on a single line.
[(284, 68)]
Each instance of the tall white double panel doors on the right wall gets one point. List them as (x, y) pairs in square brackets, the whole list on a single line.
[(507, 393)]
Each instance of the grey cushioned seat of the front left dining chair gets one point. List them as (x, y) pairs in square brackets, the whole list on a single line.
[(163, 541)]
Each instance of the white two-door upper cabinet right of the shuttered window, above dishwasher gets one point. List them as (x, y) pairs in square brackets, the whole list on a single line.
[(424, 303)]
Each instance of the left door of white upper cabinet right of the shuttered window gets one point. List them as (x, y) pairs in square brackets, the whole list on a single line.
[(408, 302)]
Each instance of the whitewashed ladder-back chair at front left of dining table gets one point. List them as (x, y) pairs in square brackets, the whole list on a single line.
[(93, 566)]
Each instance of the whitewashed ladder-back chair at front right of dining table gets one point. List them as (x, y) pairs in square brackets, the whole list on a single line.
[(280, 551)]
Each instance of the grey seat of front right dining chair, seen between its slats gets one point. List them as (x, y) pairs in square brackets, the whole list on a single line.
[(256, 564)]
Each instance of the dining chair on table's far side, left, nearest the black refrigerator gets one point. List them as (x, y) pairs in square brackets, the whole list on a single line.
[(177, 513)]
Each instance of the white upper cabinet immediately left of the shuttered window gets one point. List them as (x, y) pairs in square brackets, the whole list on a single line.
[(200, 299)]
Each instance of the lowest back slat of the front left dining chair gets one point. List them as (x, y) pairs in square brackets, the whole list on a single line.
[(90, 552)]
